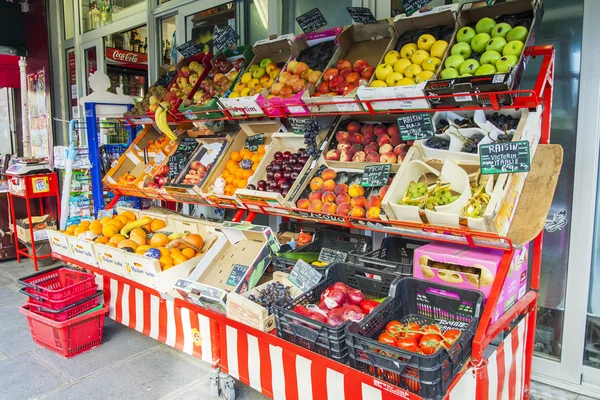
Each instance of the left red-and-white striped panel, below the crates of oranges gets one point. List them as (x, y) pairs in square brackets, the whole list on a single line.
[(153, 316)]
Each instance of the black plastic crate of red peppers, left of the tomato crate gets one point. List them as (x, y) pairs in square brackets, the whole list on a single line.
[(321, 338)]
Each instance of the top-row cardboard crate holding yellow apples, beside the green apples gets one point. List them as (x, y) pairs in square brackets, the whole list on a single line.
[(441, 21)]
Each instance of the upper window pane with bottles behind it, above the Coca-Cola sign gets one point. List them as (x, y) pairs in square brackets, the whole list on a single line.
[(98, 13)]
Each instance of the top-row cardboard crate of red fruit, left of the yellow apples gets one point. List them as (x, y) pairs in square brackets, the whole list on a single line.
[(357, 42)]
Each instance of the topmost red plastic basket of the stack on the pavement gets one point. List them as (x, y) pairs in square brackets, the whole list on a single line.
[(58, 283)]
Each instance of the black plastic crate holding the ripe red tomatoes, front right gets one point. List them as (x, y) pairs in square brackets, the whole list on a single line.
[(423, 302)]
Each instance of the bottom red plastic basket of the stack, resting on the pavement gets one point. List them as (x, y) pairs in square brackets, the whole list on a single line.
[(67, 338)]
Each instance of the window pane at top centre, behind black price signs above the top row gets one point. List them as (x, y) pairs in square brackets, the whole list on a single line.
[(333, 11)]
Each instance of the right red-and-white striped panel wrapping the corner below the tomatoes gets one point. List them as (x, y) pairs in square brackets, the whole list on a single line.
[(282, 374)]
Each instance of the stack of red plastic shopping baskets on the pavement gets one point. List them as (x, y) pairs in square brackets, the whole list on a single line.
[(64, 310)]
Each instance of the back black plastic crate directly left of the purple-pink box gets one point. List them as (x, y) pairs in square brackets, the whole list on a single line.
[(395, 255)]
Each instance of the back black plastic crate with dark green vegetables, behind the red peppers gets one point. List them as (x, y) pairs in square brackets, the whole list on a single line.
[(341, 241)]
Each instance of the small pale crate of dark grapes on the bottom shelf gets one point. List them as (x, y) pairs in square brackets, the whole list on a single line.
[(240, 308)]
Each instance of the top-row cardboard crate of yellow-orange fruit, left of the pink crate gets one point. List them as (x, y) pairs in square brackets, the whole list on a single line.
[(278, 49)]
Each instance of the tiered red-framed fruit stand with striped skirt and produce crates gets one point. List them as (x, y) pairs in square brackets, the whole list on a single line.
[(362, 172)]
